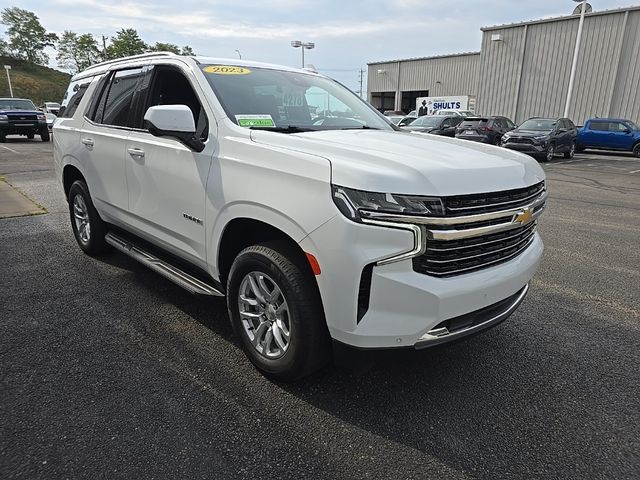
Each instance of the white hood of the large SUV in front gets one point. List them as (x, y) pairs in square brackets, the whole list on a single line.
[(401, 162)]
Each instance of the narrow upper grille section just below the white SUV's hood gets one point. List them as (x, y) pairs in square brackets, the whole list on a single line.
[(491, 202)]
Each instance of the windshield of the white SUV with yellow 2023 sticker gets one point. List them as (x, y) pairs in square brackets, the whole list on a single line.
[(289, 101)]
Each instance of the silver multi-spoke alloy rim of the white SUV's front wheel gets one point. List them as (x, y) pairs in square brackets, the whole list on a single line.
[(264, 314)]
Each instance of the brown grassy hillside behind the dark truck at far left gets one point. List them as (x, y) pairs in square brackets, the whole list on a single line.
[(40, 84)]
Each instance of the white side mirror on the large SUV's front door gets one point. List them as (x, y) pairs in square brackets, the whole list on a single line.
[(173, 121)]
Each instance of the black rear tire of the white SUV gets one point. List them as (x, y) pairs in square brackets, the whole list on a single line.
[(94, 244)]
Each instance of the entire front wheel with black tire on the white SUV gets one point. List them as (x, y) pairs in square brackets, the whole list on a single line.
[(275, 309)]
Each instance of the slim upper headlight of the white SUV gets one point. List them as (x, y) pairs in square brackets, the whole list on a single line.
[(355, 204)]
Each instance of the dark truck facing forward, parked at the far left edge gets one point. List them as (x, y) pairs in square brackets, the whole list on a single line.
[(19, 116)]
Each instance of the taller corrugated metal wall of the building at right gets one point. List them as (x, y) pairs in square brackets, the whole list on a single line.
[(532, 81)]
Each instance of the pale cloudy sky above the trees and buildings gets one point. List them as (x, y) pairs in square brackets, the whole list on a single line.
[(347, 33)]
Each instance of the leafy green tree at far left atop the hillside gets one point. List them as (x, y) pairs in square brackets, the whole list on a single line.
[(27, 37)]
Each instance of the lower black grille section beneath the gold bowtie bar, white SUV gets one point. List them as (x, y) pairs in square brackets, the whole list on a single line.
[(455, 257)]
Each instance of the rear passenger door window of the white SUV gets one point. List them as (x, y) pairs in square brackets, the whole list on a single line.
[(114, 105)]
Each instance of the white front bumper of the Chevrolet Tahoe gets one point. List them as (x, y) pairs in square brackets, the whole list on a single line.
[(407, 308)]
